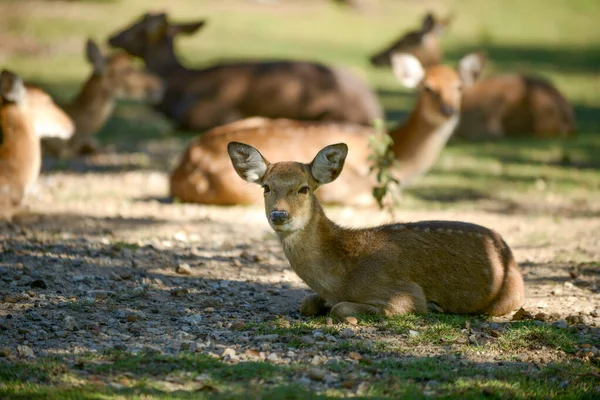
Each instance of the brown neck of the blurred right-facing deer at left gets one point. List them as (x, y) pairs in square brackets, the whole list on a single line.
[(92, 107)]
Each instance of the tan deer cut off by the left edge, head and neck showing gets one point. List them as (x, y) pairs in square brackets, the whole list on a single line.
[(20, 153)]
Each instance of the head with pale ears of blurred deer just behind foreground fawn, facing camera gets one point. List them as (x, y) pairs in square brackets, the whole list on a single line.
[(440, 86)]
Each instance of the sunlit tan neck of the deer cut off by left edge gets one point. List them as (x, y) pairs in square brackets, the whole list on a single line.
[(20, 152)]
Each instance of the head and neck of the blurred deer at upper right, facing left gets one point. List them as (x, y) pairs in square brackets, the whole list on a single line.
[(423, 43)]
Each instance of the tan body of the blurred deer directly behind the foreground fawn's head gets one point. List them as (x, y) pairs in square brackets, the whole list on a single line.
[(205, 173)]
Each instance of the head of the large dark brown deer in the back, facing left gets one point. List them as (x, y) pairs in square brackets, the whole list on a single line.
[(149, 32)]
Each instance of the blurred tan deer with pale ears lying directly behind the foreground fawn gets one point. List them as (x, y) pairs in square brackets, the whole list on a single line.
[(203, 174)]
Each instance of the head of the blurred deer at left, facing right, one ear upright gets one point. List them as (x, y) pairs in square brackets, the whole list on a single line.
[(117, 75)]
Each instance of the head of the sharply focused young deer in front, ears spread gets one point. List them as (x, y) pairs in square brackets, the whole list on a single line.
[(288, 186)]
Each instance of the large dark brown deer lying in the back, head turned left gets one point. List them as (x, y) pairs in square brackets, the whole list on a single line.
[(200, 99)]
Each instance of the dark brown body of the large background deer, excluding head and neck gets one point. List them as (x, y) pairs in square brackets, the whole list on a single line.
[(199, 100)]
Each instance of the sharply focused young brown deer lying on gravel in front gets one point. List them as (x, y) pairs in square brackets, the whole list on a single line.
[(390, 269)]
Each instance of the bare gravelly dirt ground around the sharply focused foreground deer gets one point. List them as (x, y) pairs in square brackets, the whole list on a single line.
[(102, 263)]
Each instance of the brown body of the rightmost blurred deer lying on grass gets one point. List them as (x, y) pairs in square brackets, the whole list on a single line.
[(513, 105)]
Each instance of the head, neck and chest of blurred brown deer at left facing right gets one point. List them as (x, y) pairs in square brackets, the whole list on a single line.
[(112, 77)]
